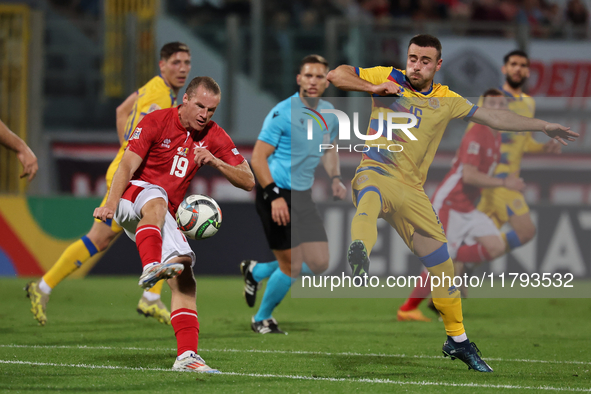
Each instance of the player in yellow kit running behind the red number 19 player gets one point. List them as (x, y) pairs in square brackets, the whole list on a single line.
[(159, 93)]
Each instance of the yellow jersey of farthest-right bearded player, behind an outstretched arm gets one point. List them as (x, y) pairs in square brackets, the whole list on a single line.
[(515, 144)]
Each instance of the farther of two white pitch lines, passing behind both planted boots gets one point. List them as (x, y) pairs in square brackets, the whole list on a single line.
[(303, 352)]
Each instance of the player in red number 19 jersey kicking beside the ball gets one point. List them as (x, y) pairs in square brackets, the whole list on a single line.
[(165, 151)]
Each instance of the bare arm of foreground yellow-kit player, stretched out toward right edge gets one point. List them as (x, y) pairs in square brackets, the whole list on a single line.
[(510, 121)]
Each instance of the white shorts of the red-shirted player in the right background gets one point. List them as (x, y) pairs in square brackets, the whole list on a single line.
[(465, 227)]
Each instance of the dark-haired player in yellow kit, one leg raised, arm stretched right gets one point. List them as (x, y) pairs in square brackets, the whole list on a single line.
[(389, 181)]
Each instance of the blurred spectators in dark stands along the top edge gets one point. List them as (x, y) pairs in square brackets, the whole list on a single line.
[(543, 16)]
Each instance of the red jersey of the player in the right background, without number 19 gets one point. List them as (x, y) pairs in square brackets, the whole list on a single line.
[(480, 147)]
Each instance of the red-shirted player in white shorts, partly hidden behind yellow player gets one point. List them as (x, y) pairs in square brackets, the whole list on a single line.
[(472, 236)]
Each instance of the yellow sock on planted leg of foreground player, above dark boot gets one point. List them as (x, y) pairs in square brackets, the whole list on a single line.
[(450, 305)]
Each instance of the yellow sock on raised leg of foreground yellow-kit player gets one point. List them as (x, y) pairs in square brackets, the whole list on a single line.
[(364, 225)]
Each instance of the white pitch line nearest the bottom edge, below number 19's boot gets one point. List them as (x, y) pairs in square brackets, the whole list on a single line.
[(313, 378)]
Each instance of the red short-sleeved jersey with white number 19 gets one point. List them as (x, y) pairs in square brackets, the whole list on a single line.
[(168, 152)]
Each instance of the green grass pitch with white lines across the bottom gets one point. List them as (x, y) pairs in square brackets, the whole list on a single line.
[(334, 345)]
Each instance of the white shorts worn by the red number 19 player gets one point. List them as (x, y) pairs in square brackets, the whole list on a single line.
[(128, 215)]
